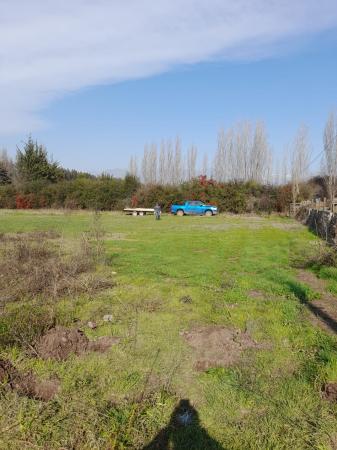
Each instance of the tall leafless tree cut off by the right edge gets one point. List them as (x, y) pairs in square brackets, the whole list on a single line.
[(330, 155)]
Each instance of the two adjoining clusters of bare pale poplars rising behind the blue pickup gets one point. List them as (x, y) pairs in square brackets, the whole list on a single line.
[(243, 154)]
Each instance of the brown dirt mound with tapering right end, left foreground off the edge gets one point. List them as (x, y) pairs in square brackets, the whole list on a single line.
[(60, 342)]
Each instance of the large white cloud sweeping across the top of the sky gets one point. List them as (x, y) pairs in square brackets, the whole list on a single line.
[(49, 48)]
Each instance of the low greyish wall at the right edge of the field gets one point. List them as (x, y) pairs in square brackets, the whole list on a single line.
[(322, 223)]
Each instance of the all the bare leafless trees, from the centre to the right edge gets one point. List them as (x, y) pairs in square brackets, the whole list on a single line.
[(243, 155)]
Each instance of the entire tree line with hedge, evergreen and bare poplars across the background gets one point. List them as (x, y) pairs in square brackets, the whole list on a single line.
[(242, 163)]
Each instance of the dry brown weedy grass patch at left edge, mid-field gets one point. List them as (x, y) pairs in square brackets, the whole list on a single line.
[(32, 266)]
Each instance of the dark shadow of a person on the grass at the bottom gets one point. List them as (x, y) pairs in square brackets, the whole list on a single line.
[(183, 432)]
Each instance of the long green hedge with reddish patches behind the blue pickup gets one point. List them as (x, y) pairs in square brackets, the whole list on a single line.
[(107, 193)]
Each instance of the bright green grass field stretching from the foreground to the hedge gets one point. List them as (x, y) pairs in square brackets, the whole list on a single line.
[(237, 273)]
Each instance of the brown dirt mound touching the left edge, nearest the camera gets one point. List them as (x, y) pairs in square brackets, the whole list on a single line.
[(26, 384)]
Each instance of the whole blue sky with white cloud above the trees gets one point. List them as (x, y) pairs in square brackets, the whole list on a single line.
[(94, 113)]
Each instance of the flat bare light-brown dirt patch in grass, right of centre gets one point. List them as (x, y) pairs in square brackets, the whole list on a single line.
[(216, 346)]
